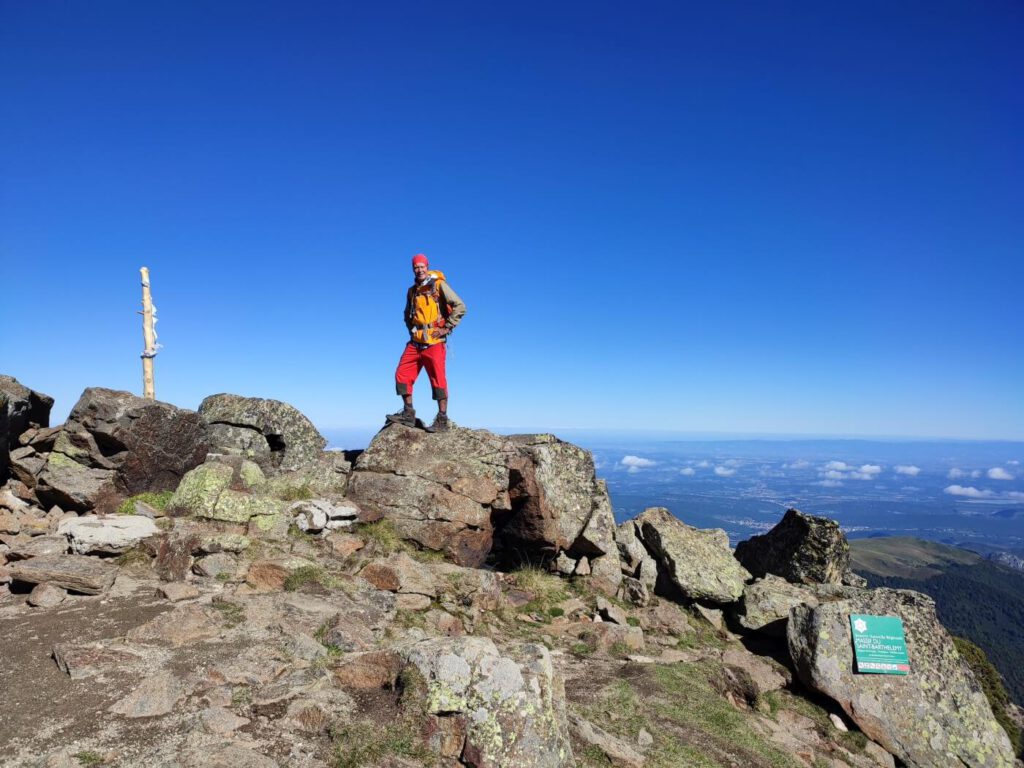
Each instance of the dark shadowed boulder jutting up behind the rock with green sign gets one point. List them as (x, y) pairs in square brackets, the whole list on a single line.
[(803, 549)]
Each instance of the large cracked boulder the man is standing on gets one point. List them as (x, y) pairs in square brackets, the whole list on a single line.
[(471, 493)]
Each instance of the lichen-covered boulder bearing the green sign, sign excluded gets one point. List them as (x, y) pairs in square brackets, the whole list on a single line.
[(935, 717)]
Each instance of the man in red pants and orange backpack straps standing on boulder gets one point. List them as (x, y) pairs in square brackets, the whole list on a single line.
[(433, 312)]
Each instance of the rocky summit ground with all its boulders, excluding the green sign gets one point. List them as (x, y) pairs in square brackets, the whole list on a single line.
[(239, 598)]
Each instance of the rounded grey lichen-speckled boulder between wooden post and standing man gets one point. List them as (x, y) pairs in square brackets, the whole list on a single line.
[(271, 433)]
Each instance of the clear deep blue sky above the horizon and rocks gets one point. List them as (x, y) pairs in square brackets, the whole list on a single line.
[(764, 218)]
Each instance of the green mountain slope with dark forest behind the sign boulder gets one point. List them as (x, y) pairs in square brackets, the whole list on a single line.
[(975, 599)]
